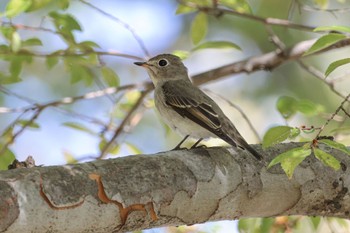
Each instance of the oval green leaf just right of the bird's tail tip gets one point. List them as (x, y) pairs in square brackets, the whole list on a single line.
[(276, 135)]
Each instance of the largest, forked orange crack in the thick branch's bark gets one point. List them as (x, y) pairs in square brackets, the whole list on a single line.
[(124, 212)]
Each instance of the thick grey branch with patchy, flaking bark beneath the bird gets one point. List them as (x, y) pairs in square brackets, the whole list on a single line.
[(170, 188)]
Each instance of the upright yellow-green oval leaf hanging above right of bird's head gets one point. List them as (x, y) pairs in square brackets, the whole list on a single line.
[(199, 27)]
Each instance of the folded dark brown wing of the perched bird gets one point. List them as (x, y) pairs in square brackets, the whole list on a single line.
[(186, 102)]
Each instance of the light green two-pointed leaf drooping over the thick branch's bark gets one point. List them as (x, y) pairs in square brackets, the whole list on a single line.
[(289, 160)]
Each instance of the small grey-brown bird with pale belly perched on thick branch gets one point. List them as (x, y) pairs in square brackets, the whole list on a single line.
[(187, 109)]
